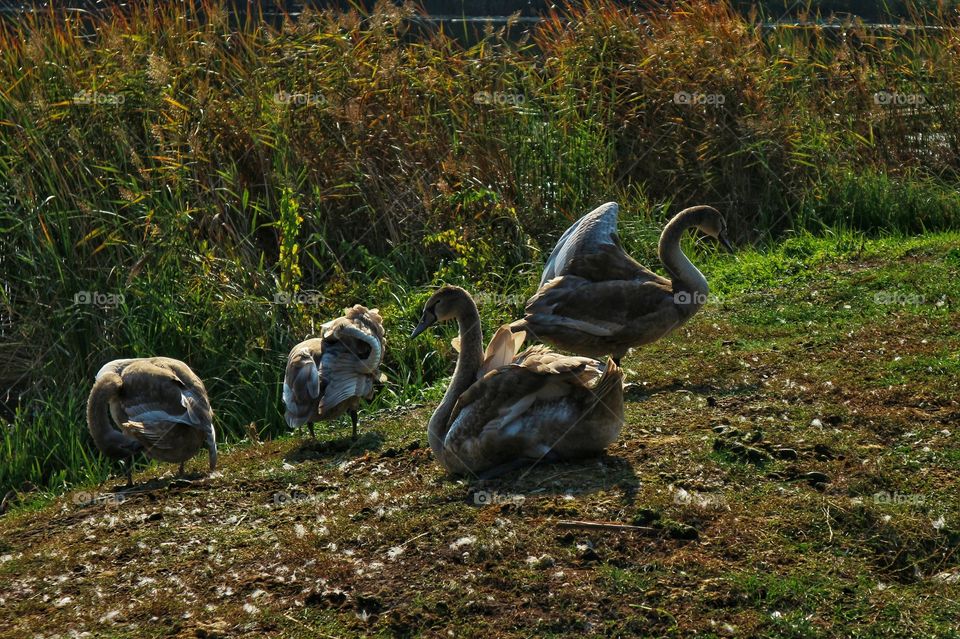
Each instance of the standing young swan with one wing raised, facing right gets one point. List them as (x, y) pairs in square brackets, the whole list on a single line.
[(595, 300)]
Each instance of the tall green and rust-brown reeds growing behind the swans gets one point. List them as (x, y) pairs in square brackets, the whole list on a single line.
[(173, 184)]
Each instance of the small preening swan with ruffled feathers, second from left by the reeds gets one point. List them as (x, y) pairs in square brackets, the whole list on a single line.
[(327, 376)]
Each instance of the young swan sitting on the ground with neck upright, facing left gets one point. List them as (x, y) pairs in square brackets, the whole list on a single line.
[(503, 411)]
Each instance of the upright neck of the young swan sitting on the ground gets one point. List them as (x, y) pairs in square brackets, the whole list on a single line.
[(464, 375)]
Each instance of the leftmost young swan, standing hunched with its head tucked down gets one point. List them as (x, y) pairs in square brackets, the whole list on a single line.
[(160, 407)]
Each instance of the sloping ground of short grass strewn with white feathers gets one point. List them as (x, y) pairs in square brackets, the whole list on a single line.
[(792, 452)]
